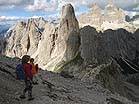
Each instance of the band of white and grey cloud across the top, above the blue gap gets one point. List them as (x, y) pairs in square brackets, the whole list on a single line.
[(36, 5)]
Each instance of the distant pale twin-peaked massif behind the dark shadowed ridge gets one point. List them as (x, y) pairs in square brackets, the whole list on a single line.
[(112, 17)]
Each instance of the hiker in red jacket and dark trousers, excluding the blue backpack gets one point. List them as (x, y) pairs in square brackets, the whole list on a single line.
[(28, 77)]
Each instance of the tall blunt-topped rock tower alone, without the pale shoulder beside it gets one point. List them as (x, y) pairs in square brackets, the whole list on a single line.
[(68, 34)]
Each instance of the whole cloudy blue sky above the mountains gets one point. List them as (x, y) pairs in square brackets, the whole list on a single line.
[(13, 10)]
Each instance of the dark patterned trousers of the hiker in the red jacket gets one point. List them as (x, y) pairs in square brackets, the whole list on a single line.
[(28, 88)]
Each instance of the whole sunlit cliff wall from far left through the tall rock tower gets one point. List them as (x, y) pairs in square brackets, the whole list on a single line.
[(52, 45)]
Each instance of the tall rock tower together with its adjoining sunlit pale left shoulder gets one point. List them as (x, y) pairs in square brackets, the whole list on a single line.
[(60, 43)]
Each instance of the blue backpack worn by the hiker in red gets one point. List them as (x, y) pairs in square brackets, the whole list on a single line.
[(20, 74)]
